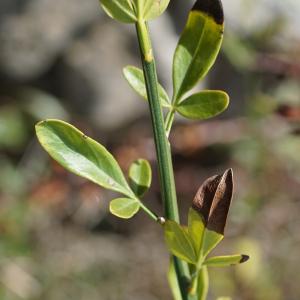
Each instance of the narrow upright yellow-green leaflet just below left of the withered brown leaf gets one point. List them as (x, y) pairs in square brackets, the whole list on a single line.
[(196, 229)]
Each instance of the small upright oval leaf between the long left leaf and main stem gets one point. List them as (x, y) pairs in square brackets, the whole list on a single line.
[(140, 176)]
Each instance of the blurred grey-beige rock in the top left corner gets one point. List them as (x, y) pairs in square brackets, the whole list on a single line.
[(32, 39)]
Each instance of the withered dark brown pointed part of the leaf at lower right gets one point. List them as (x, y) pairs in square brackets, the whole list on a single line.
[(213, 199)]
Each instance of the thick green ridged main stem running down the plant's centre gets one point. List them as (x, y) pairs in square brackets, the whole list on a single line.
[(163, 151)]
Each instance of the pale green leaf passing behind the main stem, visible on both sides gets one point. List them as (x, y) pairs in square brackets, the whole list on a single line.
[(136, 80)]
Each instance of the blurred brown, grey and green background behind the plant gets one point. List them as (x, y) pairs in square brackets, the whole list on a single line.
[(63, 59)]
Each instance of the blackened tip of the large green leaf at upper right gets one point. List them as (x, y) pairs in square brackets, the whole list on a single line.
[(213, 8)]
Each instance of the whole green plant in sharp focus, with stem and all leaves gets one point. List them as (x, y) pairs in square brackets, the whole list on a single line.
[(195, 54)]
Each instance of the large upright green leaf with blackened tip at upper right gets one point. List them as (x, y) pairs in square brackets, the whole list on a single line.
[(198, 46)]
